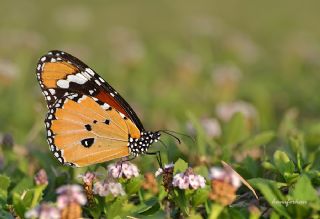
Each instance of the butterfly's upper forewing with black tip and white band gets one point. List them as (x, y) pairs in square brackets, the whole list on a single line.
[(60, 74)]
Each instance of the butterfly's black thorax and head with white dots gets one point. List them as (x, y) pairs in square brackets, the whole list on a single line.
[(141, 145)]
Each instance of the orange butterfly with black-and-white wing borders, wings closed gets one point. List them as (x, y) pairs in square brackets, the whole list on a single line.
[(88, 122)]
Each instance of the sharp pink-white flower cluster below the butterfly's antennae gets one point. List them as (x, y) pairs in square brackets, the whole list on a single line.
[(188, 180)]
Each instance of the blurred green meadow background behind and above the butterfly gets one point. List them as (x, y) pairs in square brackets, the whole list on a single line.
[(169, 59)]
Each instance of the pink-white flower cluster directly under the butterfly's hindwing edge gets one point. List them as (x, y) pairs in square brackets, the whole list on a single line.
[(123, 169)]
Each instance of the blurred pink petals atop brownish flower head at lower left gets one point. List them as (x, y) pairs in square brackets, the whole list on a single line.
[(70, 194)]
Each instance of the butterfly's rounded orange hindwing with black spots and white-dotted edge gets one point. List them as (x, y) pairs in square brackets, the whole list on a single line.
[(82, 132)]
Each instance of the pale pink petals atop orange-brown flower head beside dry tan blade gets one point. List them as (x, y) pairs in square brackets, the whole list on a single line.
[(218, 173)]
